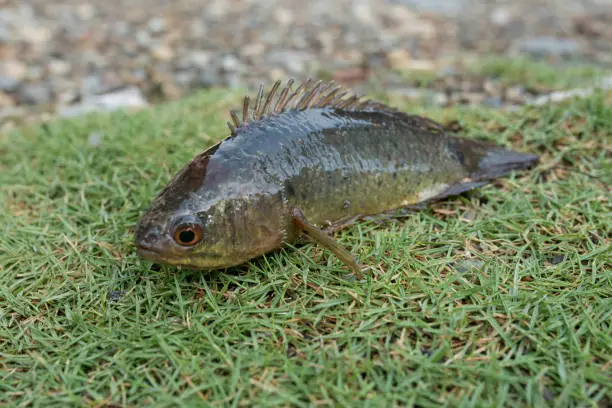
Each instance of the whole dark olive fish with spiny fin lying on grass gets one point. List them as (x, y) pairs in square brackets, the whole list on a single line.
[(307, 162)]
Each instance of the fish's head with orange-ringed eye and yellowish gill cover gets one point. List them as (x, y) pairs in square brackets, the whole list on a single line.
[(204, 219)]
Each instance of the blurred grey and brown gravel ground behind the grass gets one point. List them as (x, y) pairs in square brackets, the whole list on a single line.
[(69, 57)]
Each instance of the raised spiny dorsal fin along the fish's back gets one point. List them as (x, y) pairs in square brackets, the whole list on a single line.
[(308, 95)]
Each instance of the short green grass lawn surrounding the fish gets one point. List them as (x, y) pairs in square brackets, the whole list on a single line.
[(498, 298)]
